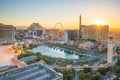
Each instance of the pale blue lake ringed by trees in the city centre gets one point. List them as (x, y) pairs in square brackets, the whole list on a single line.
[(57, 52)]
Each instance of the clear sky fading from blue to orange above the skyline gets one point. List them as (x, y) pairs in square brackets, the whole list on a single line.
[(49, 12)]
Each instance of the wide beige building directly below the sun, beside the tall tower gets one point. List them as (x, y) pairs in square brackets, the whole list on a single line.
[(96, 32)]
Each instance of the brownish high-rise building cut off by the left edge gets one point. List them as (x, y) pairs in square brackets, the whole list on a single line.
[(7, 34)]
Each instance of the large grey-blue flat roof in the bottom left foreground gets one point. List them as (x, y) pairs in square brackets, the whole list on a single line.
[(36, 71)]
